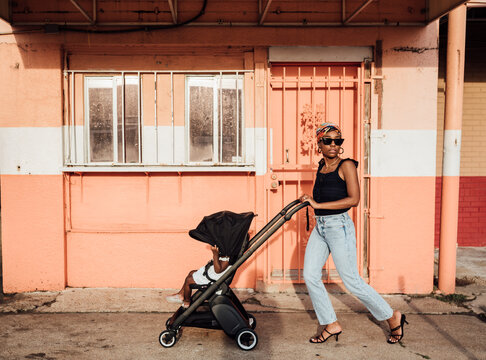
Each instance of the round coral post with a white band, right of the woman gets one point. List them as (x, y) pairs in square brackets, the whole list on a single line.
[(456, 39)]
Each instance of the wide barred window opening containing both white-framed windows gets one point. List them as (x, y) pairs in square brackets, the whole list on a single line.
[(174, 120)]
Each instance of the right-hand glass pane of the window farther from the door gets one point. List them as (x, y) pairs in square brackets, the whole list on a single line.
[(131, 119)]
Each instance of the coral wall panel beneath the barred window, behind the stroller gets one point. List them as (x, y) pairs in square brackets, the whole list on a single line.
[(132, 230)]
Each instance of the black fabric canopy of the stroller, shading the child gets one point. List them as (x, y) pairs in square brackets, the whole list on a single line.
[(225, 229)]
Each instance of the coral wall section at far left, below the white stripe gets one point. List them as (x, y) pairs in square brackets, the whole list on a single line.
[(33, 244)]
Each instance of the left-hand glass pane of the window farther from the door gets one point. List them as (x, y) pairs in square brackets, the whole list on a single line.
[(100, 98)]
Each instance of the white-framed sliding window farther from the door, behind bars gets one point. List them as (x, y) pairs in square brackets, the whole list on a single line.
[(112, 119)]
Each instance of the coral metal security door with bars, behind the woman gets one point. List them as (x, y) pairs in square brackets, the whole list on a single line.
[(300, 98)]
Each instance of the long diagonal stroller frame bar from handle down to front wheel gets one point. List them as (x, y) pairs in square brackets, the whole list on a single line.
[(258, 240)]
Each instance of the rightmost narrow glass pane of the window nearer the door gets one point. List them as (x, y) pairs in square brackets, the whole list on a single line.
[(232, 125)]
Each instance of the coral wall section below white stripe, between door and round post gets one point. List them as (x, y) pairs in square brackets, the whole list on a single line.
[(401, 248)]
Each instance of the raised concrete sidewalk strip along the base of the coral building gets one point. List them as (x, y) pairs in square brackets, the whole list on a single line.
[(470, 297)]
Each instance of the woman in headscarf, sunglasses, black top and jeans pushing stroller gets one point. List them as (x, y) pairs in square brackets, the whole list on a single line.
[(336, 190)]
